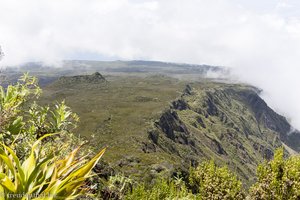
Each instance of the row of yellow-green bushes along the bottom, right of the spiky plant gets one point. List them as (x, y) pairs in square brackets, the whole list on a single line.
[(277, 179)]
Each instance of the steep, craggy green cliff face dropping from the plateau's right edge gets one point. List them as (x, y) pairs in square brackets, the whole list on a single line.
[(228, 123)]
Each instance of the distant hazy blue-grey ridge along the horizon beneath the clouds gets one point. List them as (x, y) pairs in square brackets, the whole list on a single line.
[(79, 67)]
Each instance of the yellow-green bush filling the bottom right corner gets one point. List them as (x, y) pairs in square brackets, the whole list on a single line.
[(278, 179)]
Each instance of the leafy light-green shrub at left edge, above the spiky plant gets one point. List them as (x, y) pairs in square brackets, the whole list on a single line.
[(22, 121)]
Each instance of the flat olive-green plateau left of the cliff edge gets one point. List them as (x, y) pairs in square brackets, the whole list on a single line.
[(118, 114)]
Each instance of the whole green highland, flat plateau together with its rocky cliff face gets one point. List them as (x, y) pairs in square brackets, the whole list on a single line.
[(157, 125)]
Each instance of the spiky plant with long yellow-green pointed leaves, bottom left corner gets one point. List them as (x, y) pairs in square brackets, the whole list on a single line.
[(42, 176)]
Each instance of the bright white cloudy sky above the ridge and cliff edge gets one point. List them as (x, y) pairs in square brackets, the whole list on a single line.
[(258, 39)]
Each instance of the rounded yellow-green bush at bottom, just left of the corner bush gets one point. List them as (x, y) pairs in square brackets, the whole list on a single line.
[(212, 182)]
